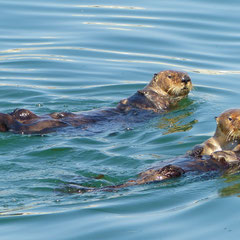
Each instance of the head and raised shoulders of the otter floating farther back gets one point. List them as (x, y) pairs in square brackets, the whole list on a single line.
[(166, 89)]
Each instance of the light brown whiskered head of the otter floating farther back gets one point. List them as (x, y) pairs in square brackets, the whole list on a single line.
[(172, 83)]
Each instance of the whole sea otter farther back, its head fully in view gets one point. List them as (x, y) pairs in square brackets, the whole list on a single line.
[(164, 91)]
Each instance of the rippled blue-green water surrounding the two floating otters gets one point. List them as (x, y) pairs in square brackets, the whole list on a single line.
[(80, 55)]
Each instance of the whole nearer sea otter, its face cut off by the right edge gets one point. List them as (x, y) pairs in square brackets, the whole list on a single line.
[(219, 153)]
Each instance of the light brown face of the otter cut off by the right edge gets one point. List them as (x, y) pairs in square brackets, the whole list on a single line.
[(229, 124)]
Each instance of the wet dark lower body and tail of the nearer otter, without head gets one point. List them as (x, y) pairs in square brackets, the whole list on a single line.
[(180, 166)]
